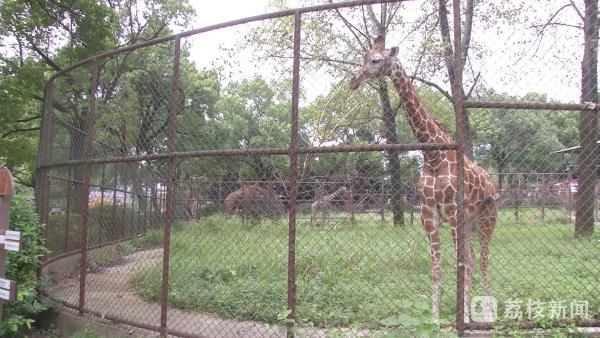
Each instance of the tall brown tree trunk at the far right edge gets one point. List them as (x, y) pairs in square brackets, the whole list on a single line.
[(588, 124)]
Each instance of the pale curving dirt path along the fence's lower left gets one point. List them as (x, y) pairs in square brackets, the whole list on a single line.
[(109, 292)]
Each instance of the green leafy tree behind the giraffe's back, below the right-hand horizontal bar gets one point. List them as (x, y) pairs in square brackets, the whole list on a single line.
[(520, 141)]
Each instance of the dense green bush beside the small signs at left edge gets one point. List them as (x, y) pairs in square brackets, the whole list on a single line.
[(22, 267)]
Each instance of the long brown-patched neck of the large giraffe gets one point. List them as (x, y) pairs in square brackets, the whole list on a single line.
[(423, 125)]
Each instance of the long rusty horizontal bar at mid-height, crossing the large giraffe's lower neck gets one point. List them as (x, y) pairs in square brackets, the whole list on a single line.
[(261, 151)]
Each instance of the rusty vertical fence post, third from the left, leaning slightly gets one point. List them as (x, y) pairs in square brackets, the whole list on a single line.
[(164, 297)]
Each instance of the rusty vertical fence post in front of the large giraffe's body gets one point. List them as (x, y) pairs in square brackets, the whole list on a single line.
[(462, 239)]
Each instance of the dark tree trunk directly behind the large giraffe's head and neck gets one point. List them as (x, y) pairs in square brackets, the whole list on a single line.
[(389, 120)]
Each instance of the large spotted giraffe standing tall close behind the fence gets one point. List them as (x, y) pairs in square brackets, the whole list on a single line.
[(437, 186)]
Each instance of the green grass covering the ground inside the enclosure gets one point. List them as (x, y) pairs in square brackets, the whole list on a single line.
[(359, 276)]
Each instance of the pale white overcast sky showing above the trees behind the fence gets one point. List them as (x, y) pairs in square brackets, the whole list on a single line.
[(511, 66)]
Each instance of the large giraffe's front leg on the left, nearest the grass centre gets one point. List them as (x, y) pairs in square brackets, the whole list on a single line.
[(430, 220)]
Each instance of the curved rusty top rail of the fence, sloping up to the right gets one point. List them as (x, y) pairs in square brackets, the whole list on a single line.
[(273, 15)]
